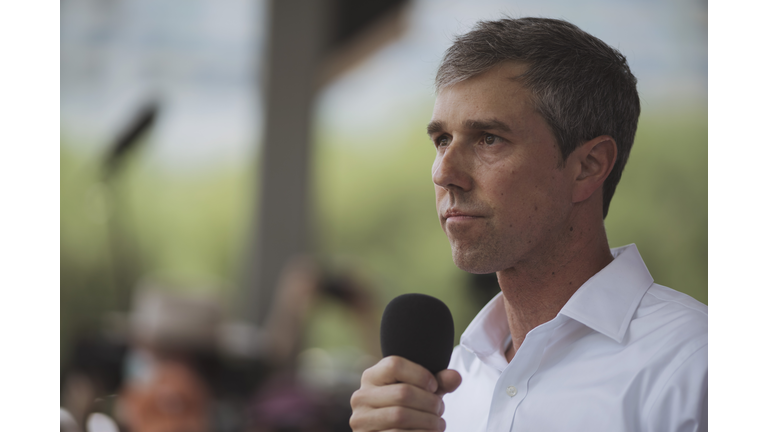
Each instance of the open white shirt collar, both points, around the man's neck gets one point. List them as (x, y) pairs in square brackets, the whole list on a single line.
[(606, 303)]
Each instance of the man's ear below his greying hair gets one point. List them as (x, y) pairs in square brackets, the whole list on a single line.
[(592, 162)]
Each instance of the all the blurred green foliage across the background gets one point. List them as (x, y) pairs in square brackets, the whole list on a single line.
[(374, 211)]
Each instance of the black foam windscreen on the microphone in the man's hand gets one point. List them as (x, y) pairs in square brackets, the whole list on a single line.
[(419, 328)]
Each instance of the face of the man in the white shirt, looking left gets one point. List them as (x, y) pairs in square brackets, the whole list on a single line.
[(502, 196)]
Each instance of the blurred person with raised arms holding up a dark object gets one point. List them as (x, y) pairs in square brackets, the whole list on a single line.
[(309, 390)]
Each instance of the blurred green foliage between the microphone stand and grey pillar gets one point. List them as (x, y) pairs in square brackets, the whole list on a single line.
[(191, 227)]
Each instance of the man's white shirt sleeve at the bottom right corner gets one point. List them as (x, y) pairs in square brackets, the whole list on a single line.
[(681, 406)]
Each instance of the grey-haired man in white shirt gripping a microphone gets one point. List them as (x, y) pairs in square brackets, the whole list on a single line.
[(533, 124)]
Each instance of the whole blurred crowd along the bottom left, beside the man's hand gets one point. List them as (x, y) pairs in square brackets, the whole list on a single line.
[(175, 364)]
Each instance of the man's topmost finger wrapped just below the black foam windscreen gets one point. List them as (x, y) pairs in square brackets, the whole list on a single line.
[(394, 369)]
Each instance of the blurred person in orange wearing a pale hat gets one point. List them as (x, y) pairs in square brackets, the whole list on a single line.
[(170, 364)]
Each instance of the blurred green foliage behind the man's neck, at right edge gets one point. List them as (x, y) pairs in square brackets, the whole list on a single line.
[(661, 201)]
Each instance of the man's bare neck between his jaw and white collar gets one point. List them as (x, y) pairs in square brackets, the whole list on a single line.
[(534, 293)]
